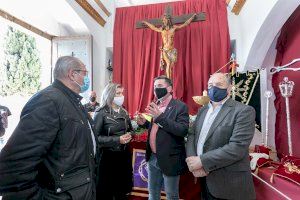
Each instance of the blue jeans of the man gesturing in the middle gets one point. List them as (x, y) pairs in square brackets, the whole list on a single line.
[(156, 178)]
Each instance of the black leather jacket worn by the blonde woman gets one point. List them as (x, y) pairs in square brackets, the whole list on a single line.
[(109, 126)]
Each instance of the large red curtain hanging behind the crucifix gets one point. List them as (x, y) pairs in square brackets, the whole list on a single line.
[(202, 48)]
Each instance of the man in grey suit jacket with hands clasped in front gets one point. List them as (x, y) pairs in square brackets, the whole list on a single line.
[(217, 148)]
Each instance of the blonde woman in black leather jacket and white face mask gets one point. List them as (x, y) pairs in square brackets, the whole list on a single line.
[(113, 128)]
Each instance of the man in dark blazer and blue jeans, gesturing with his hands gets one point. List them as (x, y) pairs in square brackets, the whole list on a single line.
[(165, 151)]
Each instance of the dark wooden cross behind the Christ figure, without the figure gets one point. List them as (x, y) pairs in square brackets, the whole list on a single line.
[(175, 19)]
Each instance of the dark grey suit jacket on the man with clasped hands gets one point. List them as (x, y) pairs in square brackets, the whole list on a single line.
[(226, 150)]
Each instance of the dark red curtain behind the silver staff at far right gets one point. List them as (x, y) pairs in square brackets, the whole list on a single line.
[(287, 50)]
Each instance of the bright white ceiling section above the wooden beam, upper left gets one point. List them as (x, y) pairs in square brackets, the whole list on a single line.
[(55, 17)]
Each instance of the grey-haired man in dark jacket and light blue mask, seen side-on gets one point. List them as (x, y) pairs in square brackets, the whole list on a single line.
[(52, 152)]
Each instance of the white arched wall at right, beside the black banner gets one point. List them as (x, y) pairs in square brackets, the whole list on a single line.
[(256, 30)]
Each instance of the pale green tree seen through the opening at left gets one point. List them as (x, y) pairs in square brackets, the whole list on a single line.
[(21, 69)]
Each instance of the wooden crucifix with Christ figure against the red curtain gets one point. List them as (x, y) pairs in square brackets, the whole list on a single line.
[(167, 27)]
